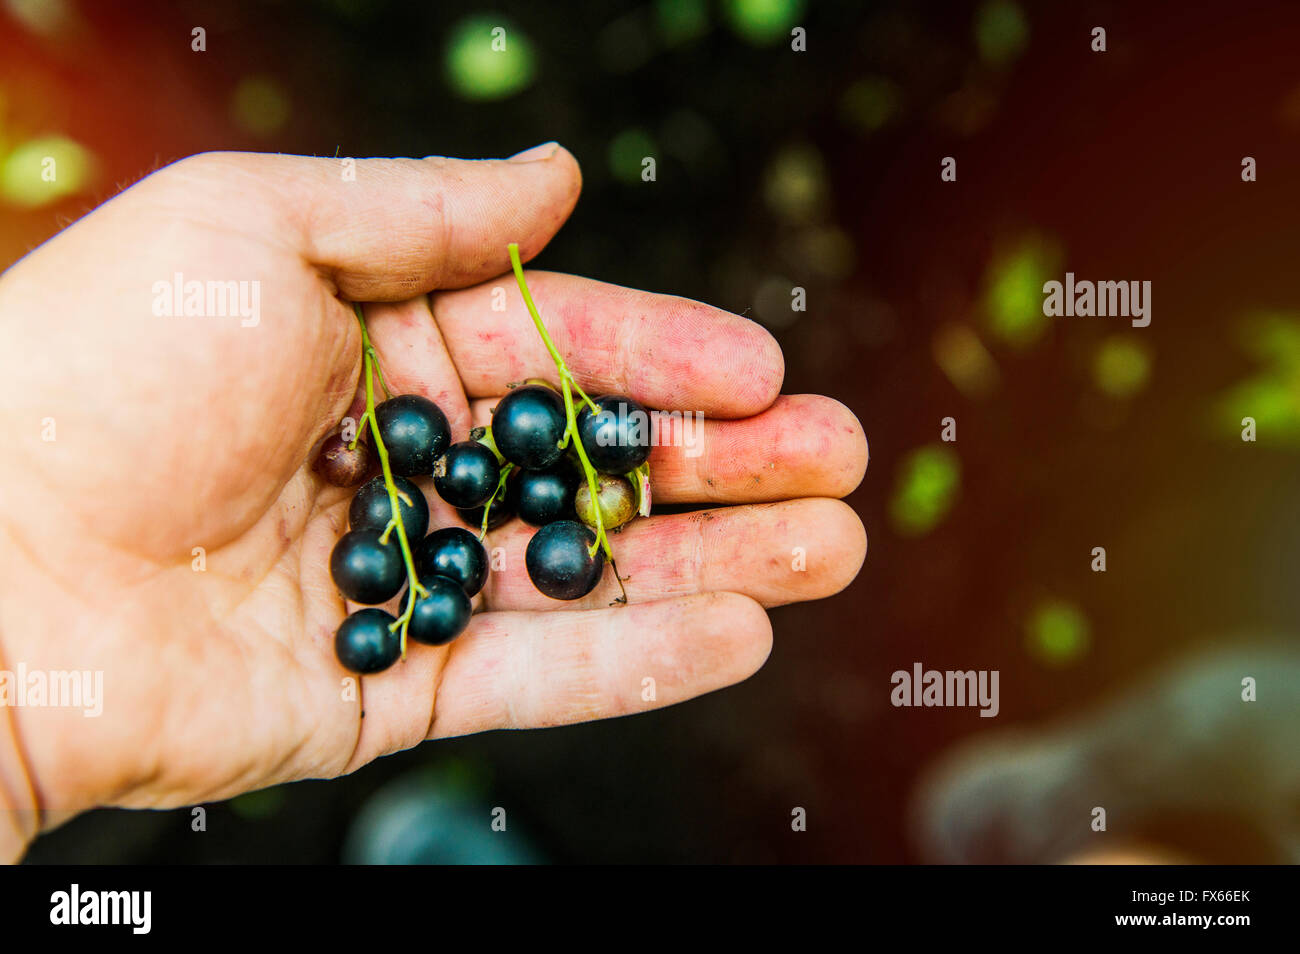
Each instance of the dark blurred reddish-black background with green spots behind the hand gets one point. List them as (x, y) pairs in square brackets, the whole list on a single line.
[(821, 170)]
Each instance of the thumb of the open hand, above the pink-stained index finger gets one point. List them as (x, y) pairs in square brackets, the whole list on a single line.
[(391, 229)]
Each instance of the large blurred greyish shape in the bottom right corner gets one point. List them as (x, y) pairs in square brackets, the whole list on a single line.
[(1188, 757)]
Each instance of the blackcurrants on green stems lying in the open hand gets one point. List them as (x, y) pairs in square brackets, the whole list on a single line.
[(564, 462)]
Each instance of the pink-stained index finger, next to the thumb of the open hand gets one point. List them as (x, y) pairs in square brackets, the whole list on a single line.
[(661, 350)]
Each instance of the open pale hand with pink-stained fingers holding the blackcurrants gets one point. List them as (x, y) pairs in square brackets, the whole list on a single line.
[(174, 433)]
